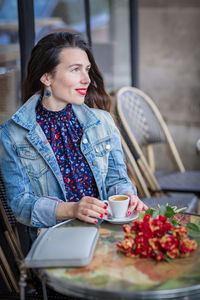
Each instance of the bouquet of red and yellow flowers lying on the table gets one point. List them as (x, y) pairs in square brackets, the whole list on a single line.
[(157, 236)]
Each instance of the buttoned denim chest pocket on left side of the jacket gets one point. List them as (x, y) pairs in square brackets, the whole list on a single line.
[(33, 163)]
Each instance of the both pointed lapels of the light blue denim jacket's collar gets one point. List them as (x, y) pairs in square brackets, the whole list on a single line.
[(26, 116)]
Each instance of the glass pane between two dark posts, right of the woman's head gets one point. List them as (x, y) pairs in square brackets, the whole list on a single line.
[(110, 41)]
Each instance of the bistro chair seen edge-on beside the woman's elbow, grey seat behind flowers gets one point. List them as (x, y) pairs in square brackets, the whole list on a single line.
[(180, 200)]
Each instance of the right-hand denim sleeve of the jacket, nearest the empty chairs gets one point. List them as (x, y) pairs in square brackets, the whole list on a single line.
[(117, 180)]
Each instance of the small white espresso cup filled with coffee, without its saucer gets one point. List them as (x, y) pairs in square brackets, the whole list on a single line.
[(118, 205)]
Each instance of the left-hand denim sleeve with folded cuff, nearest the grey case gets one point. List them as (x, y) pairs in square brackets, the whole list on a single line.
[(28, 208)]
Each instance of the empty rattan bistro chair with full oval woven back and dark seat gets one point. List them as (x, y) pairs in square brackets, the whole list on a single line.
[(143, 127)]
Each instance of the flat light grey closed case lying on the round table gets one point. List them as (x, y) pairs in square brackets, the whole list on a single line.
[(62, 247)]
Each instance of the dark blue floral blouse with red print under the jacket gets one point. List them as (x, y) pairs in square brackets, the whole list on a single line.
[(64, 133)]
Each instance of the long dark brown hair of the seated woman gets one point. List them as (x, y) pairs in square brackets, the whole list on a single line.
[(45, 58)]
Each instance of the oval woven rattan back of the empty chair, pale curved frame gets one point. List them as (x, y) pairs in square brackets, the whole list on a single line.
[(144, 124)]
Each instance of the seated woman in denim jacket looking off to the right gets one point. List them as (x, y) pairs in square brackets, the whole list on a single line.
[(61, 152)]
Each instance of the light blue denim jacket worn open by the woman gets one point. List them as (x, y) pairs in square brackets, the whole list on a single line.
[(34, 184)]
